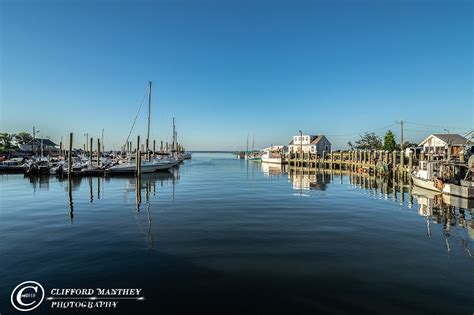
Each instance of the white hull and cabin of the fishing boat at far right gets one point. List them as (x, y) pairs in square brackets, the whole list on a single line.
[(428, 176)]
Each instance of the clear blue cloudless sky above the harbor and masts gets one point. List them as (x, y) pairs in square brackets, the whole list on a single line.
[(228, 68)]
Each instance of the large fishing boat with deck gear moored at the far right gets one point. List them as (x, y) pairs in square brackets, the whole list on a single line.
[(444, 177)]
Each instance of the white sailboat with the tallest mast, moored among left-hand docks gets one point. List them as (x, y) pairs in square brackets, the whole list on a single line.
[(149, 166)]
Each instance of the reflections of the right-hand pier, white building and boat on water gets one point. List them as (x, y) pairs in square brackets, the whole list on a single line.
[(453, 213)]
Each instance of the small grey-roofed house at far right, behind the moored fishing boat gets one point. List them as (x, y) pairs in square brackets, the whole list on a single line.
[(439, 143)]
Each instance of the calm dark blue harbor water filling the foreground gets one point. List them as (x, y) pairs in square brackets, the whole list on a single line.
[(222, 235)]
